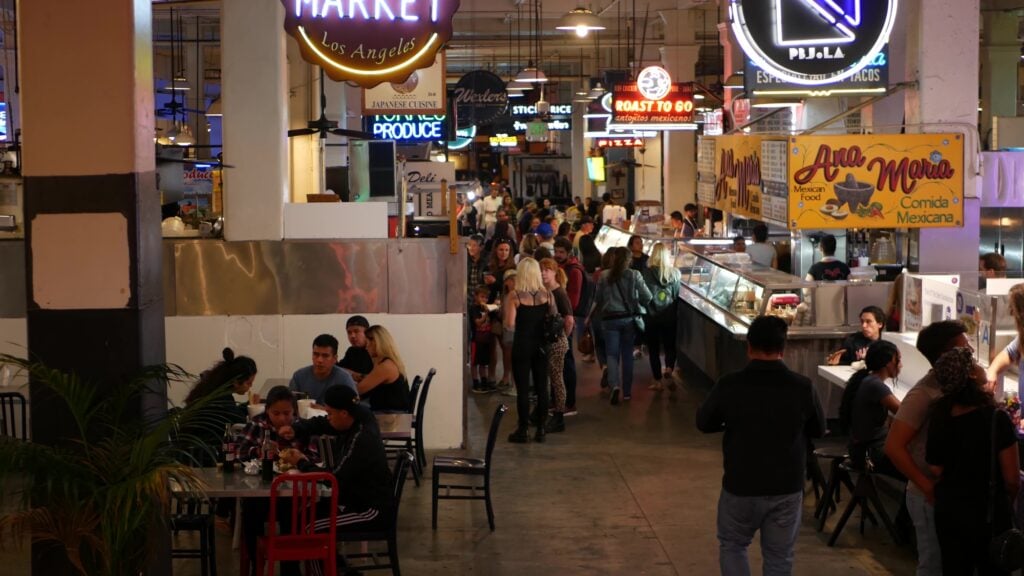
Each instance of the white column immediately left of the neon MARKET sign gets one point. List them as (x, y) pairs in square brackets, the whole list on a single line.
[(255, 121)]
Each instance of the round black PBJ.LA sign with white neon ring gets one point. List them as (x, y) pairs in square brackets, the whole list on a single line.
[(813, 43)]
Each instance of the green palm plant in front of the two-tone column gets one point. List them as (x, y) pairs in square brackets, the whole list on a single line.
[(99, 493)]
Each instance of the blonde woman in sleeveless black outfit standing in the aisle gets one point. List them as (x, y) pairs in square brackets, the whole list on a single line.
[(526, 309)]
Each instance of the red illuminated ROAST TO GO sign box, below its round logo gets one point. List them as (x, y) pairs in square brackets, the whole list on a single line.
[(674, 111)]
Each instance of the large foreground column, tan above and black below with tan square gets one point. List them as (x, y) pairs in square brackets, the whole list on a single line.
[(93, 213)]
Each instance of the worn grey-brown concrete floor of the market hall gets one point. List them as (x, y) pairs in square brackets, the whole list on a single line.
[(626, 490)]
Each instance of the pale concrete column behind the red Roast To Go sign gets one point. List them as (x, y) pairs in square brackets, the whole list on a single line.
[(679, 161)]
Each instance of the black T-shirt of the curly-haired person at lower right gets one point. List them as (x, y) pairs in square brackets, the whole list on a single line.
[(962, 445)]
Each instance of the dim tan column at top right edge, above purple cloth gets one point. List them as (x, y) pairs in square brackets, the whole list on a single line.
[(1001, 58)]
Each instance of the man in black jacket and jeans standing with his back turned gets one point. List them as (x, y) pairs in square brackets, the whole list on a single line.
[(767, 414)]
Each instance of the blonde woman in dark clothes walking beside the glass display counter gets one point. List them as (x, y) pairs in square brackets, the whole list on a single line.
[(663, 280)]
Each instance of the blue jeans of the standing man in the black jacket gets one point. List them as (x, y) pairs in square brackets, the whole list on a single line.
[(741, 517)]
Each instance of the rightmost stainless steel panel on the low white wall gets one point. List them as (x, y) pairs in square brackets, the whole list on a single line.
[(417, 271)]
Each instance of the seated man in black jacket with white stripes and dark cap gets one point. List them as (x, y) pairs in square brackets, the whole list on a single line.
[(360, 464)]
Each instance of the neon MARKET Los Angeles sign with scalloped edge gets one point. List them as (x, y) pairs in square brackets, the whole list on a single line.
[(370, 42)]
